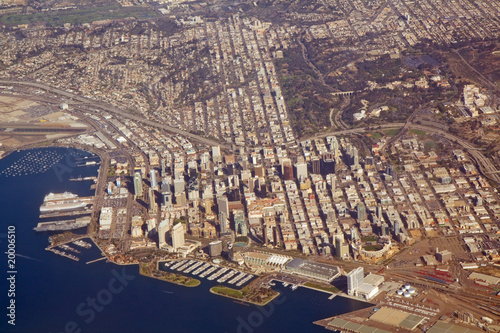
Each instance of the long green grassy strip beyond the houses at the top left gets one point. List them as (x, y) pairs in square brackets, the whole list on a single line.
[(79, 16)]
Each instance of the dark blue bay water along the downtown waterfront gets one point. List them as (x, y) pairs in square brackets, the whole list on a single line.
[(56, 294)]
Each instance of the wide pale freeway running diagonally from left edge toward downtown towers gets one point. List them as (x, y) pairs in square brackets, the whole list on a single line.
[(116, 111)]
